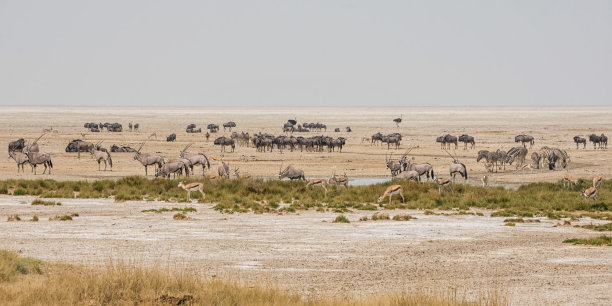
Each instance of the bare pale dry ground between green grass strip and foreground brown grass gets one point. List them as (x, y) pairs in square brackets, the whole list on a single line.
[(305, 252)]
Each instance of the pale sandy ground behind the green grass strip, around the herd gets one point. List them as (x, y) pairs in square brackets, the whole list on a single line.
[(493, 128)]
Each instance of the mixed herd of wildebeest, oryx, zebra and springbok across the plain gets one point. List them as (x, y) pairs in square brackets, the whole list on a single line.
[(23, 152)]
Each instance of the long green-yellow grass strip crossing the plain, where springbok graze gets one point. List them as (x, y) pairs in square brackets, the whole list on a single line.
[(260, 196)]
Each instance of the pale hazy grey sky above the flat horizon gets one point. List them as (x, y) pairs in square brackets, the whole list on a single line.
[(299, 53)]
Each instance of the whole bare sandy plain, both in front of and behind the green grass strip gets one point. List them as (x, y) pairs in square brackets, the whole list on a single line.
[(466, 253)]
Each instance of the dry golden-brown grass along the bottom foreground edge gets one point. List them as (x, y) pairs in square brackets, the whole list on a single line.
[(31, 282)]
